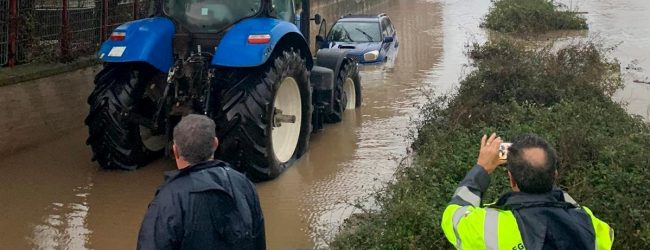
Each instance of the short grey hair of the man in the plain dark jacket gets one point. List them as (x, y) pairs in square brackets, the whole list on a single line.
[(194, 138)]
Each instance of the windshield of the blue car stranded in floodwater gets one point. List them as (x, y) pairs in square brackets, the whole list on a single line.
[(355, 32)]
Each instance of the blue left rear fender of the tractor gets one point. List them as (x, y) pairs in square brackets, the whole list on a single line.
[(146, 40)]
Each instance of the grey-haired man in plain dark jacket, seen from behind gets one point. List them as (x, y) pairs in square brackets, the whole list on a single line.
[(204, 204)]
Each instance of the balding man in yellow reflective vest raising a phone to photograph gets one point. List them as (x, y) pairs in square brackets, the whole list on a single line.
[(535, 215)]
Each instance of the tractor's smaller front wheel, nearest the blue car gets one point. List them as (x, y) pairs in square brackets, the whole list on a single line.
[(347, 92)]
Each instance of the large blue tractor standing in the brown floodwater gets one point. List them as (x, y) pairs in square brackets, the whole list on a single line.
[(244, 63)]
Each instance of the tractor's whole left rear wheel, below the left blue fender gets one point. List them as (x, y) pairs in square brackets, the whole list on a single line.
[(116, 141)]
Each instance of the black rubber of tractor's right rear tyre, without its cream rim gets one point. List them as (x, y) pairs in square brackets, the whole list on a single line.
[(243, 117)]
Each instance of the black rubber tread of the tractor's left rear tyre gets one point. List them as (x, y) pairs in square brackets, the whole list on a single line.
[(115, 142)]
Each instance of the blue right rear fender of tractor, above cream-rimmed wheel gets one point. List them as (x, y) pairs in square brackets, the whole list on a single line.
[(234, 49)]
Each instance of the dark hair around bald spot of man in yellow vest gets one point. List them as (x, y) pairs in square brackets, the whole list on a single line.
[(532, 177)]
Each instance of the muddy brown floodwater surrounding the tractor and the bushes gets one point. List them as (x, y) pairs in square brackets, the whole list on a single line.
[(53, 197)]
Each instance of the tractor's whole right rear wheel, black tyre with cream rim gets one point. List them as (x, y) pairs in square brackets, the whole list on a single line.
[(264, 116)]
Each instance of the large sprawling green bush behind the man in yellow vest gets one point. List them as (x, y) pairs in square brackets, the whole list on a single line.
[(564, 96)]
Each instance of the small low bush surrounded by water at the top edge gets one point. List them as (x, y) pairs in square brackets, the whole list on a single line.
[(531, 16)]
